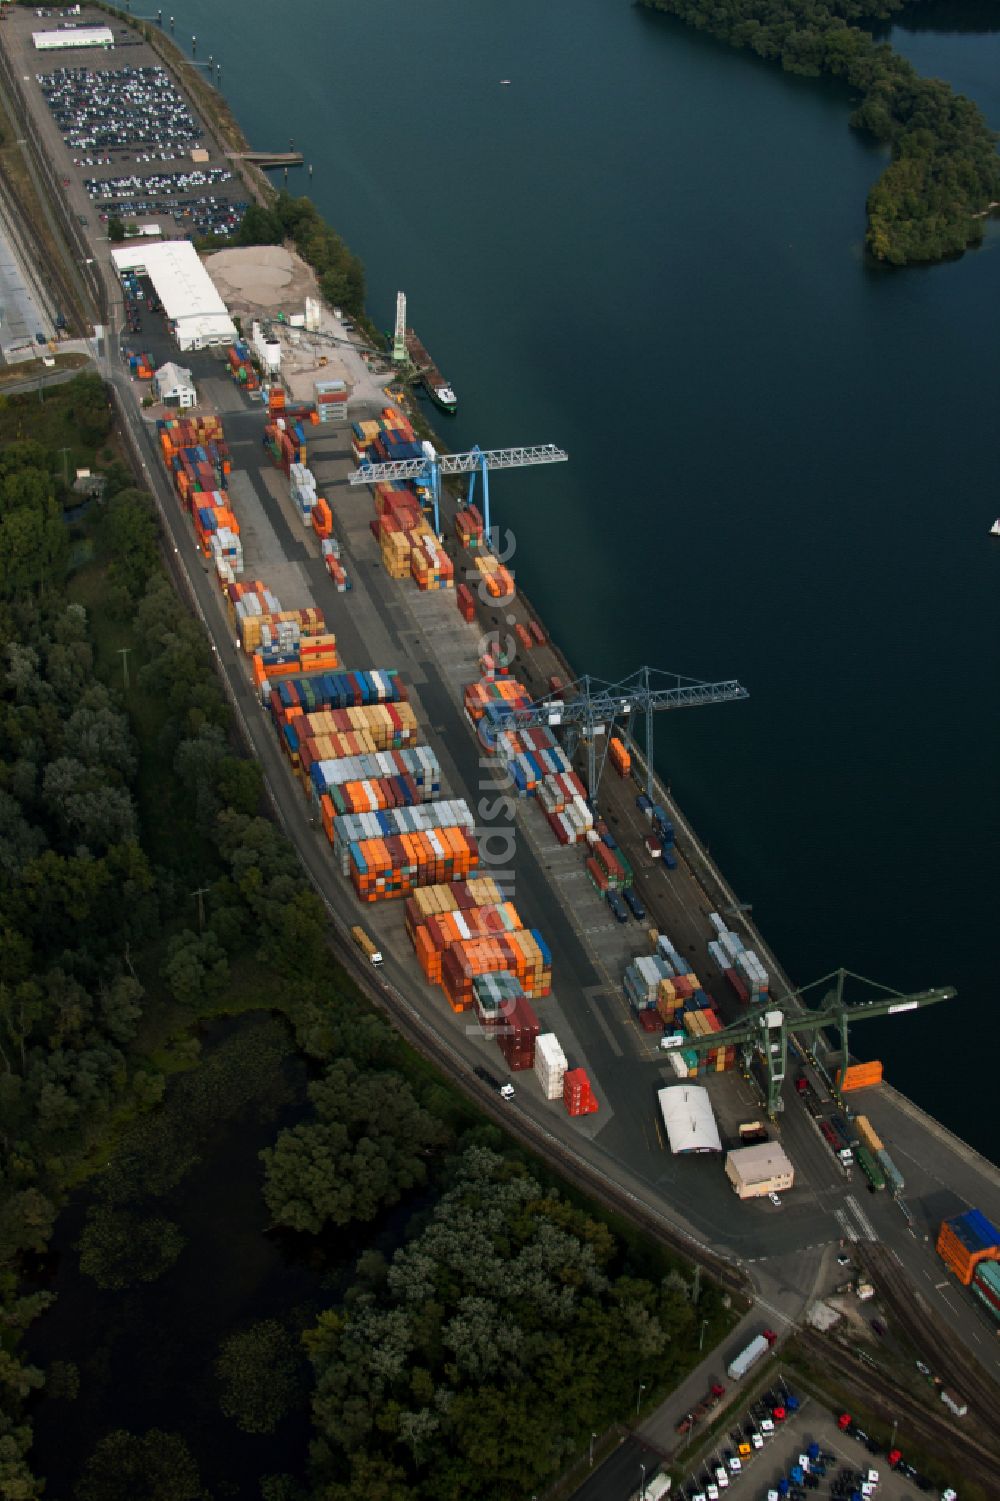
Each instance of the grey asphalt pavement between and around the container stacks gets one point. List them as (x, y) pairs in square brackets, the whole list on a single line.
[(382, 622)]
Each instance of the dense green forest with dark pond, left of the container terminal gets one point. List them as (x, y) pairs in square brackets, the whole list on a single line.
[(403, 1305)]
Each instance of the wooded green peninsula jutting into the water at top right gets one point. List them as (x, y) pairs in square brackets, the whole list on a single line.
[(945, 170)]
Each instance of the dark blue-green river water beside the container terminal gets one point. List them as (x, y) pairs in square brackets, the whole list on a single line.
[(648, 250)]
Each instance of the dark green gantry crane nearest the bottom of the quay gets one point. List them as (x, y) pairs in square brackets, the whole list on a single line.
[(767, 1032)]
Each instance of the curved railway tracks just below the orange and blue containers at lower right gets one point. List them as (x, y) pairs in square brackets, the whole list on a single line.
[(930, 1334)]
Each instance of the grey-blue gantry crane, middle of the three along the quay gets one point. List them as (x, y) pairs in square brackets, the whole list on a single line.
[(591, 708)]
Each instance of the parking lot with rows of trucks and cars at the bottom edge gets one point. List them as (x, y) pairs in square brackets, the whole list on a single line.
[(782, 1451)]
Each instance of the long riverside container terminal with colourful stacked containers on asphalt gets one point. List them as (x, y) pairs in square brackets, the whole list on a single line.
[(340, 592)]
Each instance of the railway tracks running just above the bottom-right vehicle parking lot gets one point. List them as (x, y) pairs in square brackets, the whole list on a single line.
[(978, 1458)]
